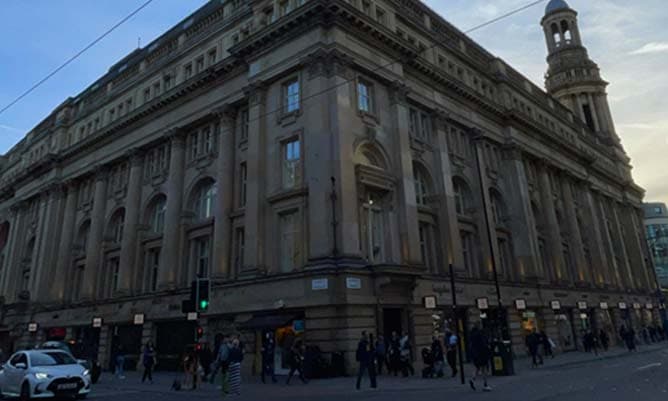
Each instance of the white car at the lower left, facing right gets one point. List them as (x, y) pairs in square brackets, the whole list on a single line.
[(43, 374)]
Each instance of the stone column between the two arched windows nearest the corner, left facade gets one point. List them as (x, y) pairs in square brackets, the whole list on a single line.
[(170, 257)]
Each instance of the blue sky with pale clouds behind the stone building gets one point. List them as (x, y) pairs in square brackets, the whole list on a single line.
[(628, 39)]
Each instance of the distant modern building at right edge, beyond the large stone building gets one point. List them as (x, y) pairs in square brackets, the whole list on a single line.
[(656, 226)]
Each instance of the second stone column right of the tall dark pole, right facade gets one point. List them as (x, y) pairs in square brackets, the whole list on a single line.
[(554, 246)]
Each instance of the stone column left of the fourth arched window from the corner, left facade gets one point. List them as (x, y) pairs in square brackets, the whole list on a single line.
[(64, 260)]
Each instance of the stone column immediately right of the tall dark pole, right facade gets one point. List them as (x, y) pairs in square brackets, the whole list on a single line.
[(522, 224)]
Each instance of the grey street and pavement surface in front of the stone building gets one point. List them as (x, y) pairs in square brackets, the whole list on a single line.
[(613, 376)]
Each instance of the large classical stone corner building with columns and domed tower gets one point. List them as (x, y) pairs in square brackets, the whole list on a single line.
[(323, 163)]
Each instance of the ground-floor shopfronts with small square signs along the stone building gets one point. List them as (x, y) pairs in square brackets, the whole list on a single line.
[(327, 310)]
